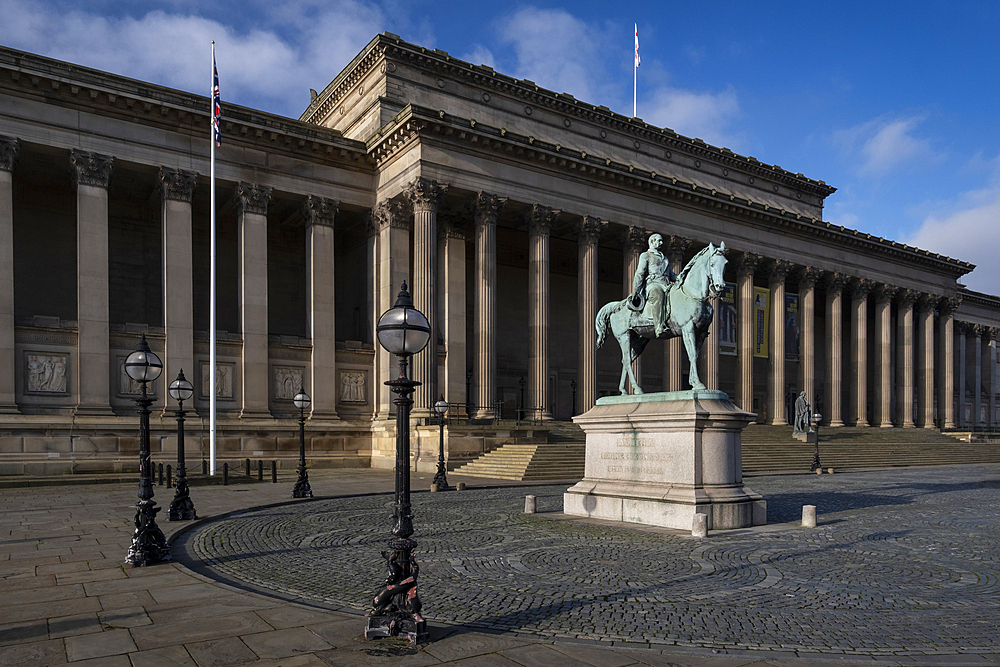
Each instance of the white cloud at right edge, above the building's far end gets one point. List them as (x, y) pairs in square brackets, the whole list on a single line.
[(969, 229)]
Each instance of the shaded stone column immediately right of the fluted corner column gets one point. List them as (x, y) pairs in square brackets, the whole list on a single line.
[(453, 311)]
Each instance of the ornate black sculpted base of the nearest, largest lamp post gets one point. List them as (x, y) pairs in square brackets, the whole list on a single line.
[(396, 608)]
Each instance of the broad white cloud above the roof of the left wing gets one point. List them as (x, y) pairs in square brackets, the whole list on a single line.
[(305, 46)]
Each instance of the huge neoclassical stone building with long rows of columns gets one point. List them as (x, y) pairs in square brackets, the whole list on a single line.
[(511, 211)]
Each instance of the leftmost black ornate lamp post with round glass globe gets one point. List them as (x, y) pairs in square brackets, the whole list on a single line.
[(148, 542)]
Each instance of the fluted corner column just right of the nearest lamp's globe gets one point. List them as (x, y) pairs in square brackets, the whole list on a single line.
[(425, 195)]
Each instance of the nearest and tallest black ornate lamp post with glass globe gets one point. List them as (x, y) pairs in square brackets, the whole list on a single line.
[(402, 330)]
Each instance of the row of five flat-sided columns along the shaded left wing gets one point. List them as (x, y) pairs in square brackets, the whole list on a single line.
[(91, 379)]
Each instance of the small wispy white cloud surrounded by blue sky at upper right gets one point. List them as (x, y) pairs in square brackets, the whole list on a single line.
[(881, 146)]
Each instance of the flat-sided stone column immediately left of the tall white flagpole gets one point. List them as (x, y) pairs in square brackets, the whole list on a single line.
[(176, 189)]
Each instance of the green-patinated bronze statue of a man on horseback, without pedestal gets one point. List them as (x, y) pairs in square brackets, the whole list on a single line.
[(663, 306)]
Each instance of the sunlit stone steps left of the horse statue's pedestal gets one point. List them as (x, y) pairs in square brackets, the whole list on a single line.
[(563, 457)]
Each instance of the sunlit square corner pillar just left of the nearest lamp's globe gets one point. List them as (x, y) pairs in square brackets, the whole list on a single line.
[(391, 225)]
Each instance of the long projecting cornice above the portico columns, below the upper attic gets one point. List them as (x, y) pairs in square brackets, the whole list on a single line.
[(414, 123)]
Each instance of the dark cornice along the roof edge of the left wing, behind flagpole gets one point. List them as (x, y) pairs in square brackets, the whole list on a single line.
[(64, 84)]
